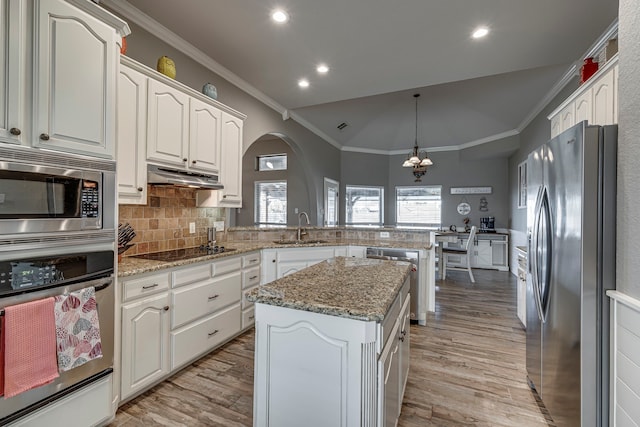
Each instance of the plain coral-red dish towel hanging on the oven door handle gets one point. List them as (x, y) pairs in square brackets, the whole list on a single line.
[(30, 346)]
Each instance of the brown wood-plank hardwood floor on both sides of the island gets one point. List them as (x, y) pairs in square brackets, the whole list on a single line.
[(467, 368)]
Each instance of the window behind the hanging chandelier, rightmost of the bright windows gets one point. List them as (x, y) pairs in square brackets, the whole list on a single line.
[(418, 207)]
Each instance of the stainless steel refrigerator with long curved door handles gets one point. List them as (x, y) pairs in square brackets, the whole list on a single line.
[(571, 208)]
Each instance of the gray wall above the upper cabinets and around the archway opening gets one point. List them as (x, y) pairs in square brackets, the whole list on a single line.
[(318, 157)]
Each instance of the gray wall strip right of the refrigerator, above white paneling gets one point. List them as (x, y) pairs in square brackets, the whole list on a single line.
[(628, 244)]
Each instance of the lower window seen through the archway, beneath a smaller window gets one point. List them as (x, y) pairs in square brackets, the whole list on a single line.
[(271, 203)]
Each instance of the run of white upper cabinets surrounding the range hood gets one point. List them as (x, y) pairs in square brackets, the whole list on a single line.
[(178, 127)]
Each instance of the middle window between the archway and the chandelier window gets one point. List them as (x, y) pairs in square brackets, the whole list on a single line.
[(364, 206)]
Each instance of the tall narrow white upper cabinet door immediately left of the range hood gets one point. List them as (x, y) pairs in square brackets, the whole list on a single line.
[(131, 147)]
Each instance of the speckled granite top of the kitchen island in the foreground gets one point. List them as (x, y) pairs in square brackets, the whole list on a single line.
[(355, 288)]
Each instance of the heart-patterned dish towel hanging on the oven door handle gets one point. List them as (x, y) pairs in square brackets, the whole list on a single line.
[(77, 329)]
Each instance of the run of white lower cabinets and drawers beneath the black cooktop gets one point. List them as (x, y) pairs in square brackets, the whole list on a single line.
[(172, 318)]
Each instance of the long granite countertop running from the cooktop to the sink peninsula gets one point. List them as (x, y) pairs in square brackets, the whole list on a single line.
[(130, 266)]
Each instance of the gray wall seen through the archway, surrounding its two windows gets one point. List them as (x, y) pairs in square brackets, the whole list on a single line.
[(297, 194)]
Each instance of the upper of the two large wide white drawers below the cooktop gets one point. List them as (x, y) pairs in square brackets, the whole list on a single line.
[(197, 300)]
